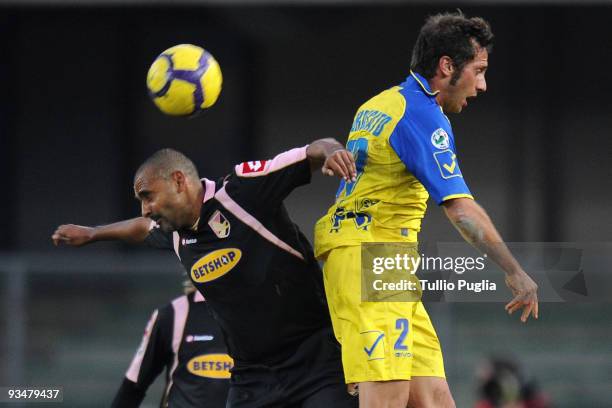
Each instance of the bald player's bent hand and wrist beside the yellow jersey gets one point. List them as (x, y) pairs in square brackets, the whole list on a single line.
[(332, 158)]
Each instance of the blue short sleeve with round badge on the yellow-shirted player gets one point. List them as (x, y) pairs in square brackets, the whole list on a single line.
[(424, 142)]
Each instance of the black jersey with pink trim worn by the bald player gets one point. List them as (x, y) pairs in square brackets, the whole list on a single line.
[(251, 262)]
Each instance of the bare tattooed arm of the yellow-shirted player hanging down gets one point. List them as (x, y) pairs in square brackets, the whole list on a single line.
[(476, 227)]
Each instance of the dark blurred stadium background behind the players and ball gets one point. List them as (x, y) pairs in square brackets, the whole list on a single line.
[(76, 121)]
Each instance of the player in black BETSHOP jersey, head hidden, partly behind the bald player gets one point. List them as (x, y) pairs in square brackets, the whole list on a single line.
[(183, 338)]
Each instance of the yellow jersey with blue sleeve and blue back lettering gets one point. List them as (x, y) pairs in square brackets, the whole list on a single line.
[(404, 150)]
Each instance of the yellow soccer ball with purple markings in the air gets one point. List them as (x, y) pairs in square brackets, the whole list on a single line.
[(184, 80)]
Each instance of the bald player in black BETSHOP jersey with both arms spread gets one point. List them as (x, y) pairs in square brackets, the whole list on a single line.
[(251, 262)]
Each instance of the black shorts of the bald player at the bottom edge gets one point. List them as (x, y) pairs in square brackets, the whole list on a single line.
[(311, 378)]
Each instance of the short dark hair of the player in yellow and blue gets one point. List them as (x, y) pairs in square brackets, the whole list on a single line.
[(453, 35)]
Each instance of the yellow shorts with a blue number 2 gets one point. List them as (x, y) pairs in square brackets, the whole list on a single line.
[(381, 341)]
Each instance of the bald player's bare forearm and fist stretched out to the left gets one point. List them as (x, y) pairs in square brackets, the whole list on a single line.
[(134, 230)]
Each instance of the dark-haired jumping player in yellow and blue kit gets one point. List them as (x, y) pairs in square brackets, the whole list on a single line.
[(404, 150)]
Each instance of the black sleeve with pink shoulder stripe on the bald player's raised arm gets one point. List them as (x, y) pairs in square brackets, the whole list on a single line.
[(269, 182)]
